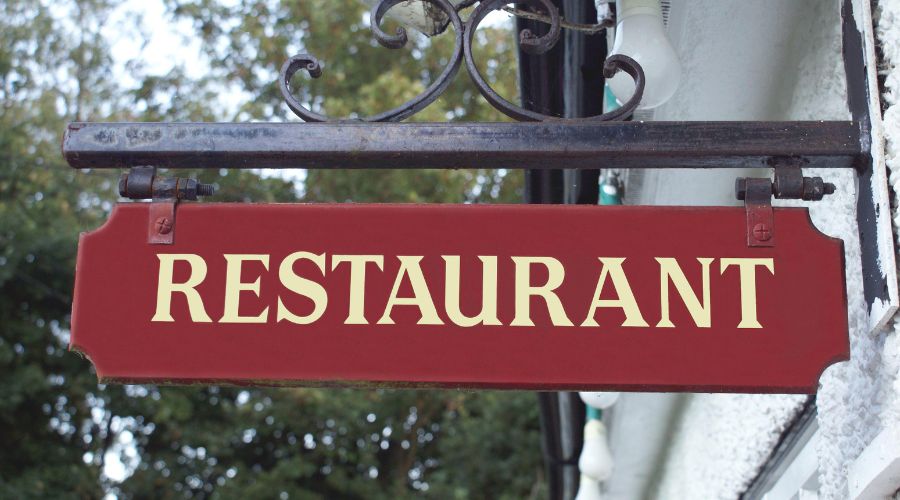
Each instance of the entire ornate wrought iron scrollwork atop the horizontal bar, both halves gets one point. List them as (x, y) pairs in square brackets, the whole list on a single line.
[(464, 35)]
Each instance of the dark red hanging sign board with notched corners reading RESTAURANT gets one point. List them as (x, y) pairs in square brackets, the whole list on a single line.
[(468, 296)]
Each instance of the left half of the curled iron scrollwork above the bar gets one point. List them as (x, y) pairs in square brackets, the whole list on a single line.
[(311, 65)]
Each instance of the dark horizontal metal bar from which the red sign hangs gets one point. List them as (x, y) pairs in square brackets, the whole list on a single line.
[(547, 145)]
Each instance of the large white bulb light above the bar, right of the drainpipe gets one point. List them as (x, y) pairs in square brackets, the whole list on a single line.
[(640, 34)]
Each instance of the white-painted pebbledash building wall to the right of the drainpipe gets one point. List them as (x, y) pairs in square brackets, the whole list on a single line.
[(774, 60)]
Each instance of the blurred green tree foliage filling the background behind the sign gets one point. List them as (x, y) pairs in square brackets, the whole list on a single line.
[(59, 429)]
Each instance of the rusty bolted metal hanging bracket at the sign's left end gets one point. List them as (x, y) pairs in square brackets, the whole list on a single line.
[(165, 192)]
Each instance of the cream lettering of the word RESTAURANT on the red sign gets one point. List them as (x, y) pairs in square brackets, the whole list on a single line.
[(512, 290)]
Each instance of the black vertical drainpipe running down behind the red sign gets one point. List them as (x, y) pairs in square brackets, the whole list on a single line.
[(566, 81)]
